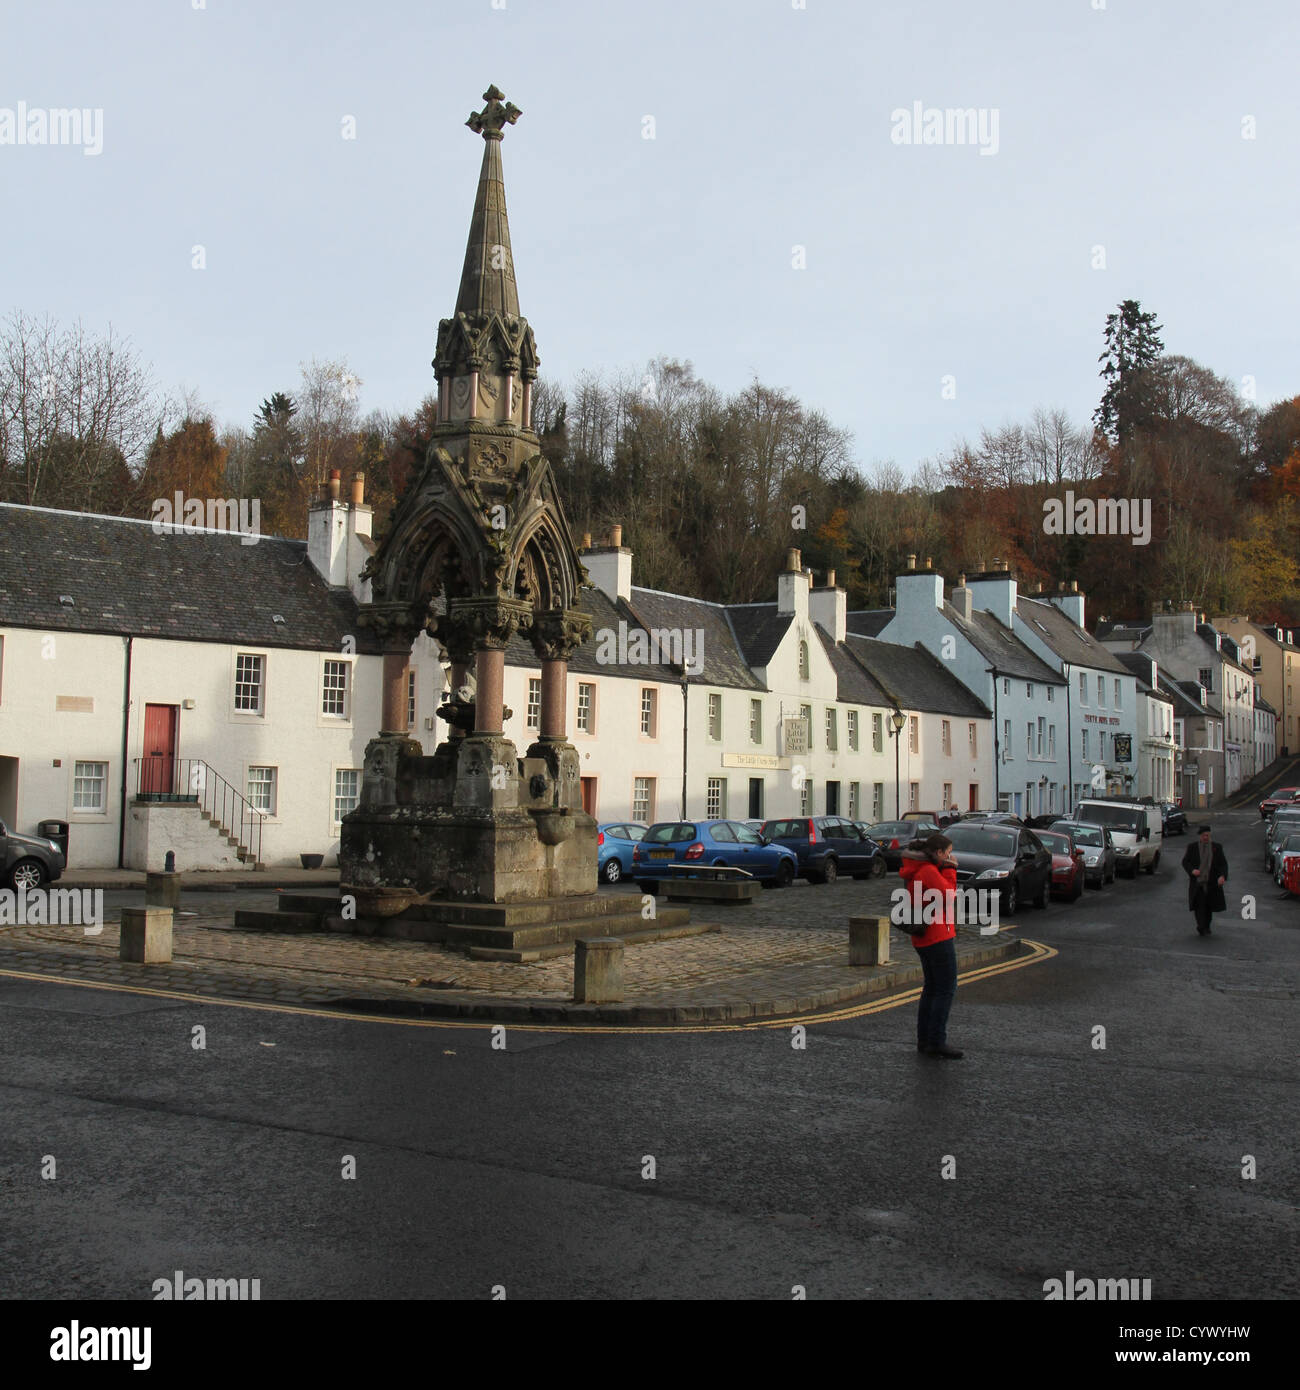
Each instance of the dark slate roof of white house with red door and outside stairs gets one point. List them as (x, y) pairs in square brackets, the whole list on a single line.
[(129, 580)]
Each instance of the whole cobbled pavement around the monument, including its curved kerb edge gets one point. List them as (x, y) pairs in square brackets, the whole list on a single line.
[(782, 957)]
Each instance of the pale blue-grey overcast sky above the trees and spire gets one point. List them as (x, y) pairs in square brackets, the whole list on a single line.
[(774, 129)]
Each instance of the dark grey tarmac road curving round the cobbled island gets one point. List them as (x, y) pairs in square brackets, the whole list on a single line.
[(774, 1166)]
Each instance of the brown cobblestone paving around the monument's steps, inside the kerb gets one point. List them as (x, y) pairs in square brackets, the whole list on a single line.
[(793, 943)]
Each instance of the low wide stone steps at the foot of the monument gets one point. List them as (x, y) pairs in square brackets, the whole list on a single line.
[(518, 932)]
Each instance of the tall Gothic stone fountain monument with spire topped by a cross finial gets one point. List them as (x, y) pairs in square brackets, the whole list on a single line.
[(476, 843)]
